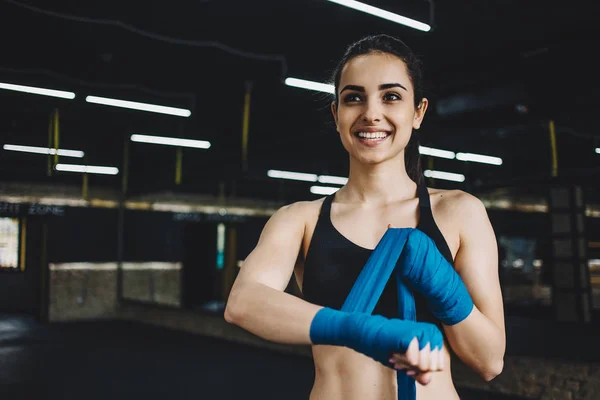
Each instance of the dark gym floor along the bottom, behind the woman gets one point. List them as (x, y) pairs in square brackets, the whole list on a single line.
[(127, 360)]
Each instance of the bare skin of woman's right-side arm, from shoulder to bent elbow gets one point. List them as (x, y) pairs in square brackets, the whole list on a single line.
[(480, 339)]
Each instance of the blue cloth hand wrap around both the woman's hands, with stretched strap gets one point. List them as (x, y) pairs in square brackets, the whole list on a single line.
[(418, 265)]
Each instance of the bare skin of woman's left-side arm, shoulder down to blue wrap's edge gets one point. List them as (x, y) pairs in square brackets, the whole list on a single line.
[(257, 302)]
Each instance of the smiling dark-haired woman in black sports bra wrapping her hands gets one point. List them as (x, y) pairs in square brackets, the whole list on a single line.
[(449, 262)]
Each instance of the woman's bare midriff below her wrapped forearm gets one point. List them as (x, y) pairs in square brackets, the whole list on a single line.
[(343, 374)]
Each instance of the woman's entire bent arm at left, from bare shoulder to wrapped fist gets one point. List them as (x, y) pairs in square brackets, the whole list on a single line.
[(258, 303)]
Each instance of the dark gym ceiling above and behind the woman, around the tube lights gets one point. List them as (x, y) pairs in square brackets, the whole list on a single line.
[(497, 72)]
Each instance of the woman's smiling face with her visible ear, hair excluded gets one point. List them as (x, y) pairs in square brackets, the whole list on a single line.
[(376, 112)]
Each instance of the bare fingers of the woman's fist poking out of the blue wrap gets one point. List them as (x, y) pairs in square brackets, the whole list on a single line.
[(420, 364)]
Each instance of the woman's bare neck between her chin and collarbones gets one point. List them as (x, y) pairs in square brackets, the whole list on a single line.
[(378, 184)]
